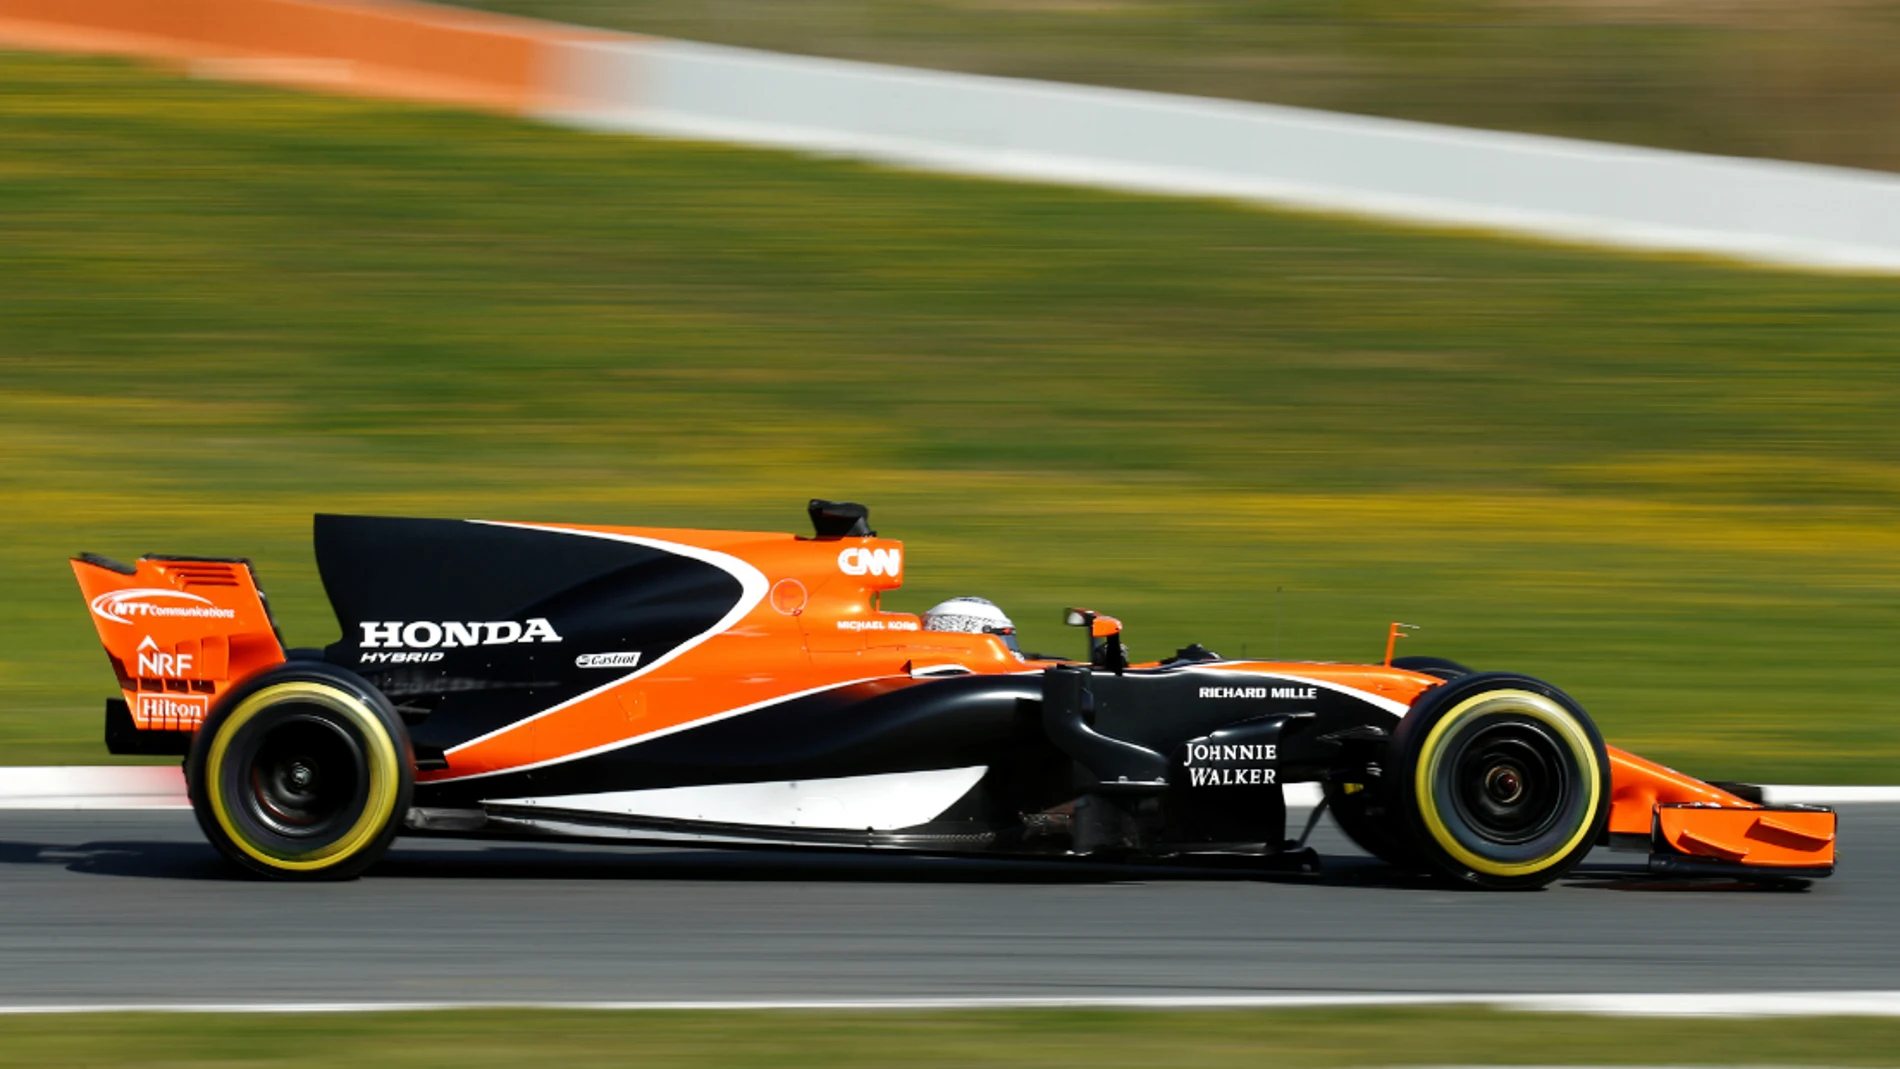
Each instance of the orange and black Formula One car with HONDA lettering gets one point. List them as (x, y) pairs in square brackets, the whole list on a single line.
[(736, 688)]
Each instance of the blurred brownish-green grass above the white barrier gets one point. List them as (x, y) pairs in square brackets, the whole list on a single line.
[(1812, 81)]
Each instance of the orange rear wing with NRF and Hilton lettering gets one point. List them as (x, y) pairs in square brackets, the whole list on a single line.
[(180, 633)]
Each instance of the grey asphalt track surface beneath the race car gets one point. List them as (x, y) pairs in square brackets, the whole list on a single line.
[(136, 909)]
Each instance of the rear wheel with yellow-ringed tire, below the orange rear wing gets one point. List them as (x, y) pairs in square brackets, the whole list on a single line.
[(303, 772)]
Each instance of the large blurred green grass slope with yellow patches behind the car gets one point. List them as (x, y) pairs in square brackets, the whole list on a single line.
[(1669, 487)]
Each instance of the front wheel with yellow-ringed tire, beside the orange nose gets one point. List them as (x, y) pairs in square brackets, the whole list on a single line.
[(1502, 781)]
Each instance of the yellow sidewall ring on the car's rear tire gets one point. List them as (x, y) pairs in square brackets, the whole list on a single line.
[(381, 757)]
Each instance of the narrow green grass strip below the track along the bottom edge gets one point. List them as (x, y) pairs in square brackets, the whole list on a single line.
[(941, 1040)]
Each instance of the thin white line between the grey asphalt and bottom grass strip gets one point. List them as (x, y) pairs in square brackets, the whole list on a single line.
[(1711, 1005)]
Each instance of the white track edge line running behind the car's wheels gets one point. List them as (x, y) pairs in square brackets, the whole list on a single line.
[(162, 787)]
